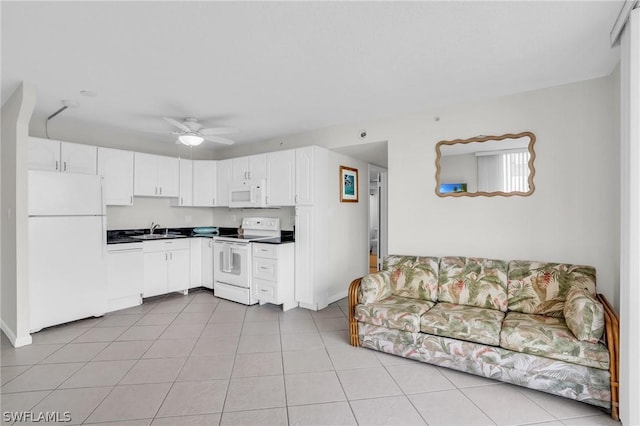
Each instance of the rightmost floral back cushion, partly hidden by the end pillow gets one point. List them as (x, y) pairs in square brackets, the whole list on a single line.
[(542, 287)]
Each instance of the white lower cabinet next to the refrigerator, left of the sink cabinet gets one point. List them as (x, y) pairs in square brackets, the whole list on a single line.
[(124, 275)]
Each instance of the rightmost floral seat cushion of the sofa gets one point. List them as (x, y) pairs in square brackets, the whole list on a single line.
[(551, 338)]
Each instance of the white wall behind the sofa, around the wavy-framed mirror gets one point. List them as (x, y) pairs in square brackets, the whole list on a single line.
[(573, 215)]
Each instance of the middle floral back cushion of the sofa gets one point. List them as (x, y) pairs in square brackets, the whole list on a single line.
[(474, 282)]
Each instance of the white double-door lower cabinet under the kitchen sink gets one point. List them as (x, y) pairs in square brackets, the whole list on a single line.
[(166, 266)]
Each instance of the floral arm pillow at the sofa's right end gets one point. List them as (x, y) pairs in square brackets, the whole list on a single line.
[(584, 315)]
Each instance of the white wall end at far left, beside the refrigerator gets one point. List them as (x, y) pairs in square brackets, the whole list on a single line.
[(16, 113)]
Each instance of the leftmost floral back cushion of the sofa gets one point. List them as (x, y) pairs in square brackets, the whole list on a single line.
[(415, 277)]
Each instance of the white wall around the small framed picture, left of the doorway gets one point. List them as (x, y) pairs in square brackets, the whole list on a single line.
[(349, 228)]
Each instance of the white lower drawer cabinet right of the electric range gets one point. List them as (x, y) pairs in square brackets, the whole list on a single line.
[(273, 274)]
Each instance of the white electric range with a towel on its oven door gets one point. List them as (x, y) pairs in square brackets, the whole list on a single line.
[(232, 257)]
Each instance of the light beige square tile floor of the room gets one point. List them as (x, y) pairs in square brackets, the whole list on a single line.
[(200, 360)]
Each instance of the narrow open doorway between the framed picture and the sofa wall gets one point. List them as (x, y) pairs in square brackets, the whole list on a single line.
[(378, 202)]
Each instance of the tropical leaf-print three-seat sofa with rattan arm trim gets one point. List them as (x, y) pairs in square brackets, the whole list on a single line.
[(534, 324)]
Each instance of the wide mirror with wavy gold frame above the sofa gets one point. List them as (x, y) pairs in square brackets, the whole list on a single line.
[(486, 166)]
